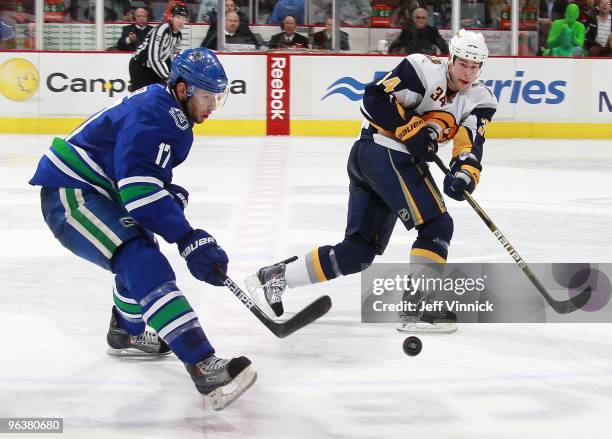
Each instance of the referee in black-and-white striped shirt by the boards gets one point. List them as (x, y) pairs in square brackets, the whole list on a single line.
[(150, 64)]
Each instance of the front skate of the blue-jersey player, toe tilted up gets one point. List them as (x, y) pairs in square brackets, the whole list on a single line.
[(222, 381)]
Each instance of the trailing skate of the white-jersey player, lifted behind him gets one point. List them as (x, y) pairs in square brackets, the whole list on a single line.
[(266, 287)]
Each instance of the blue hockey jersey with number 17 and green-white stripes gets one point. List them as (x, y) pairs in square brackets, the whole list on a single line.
[(126, 152)]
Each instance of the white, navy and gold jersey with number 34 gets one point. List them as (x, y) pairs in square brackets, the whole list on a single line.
[(418, 87)]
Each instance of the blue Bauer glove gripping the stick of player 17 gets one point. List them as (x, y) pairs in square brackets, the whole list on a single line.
[(202, 254)]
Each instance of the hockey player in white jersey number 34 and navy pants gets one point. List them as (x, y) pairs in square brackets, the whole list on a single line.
[(419, 103)]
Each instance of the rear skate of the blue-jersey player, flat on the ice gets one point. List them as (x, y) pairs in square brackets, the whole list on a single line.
[(121, 343)]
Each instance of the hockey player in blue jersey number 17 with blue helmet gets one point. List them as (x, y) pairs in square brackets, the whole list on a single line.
[(107, 189)]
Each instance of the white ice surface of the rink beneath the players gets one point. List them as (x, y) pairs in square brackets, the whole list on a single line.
[(268, 198)]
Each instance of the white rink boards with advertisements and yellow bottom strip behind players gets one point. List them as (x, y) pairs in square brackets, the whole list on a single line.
[(49, 92)]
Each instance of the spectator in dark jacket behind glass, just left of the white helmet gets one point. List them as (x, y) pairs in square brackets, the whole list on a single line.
[(419, 37)]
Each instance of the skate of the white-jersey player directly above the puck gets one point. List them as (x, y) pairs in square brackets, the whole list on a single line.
[(425, 322)]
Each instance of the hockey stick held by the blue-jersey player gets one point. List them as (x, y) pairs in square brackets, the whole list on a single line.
[(281, 329)]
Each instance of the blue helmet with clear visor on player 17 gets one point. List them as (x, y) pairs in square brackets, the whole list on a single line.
[(199, 68)]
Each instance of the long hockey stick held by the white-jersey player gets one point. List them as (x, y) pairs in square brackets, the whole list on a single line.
[(560, 306)]
